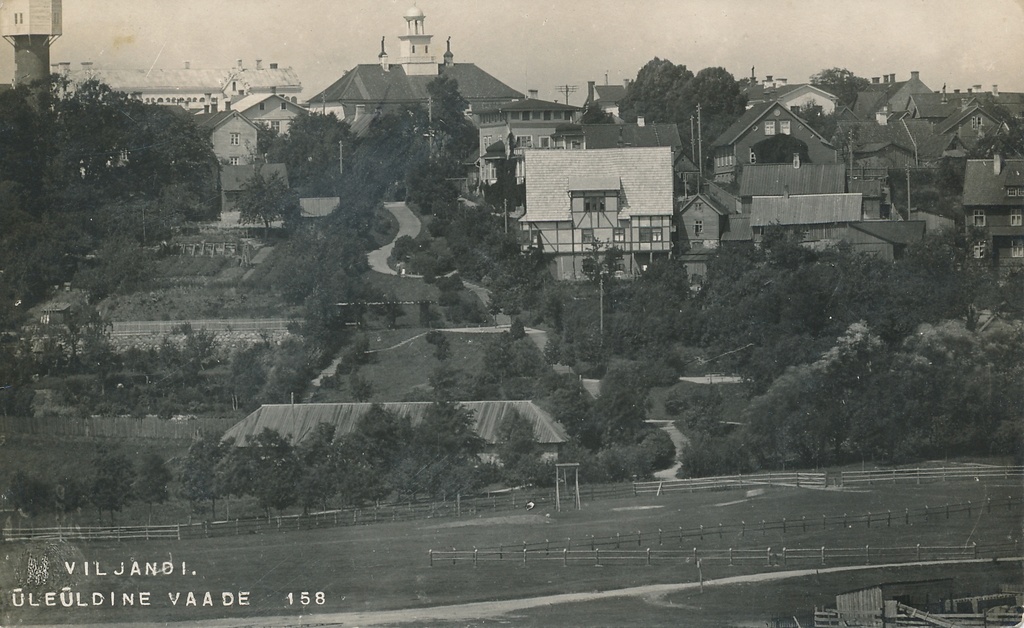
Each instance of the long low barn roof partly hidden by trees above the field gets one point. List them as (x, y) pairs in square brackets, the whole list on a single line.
[(300, 421)]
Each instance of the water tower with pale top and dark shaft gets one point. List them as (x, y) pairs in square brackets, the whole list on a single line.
[(31, 26)]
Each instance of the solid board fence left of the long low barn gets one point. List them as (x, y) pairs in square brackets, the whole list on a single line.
[(113, 428)]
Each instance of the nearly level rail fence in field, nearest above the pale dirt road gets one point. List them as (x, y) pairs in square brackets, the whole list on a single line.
[(769, 557)]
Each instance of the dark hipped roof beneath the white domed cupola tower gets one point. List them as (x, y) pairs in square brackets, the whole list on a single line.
[(369, 83)]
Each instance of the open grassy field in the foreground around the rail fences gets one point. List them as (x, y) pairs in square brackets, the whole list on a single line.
[(386, 566)]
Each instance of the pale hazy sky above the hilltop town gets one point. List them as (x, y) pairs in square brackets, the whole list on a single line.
[(544, 45)]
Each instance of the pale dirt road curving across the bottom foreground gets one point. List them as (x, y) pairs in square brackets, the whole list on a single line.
[(492, 610)]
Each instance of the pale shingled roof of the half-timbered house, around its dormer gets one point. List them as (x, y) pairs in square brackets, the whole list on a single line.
[(646, 178)]
